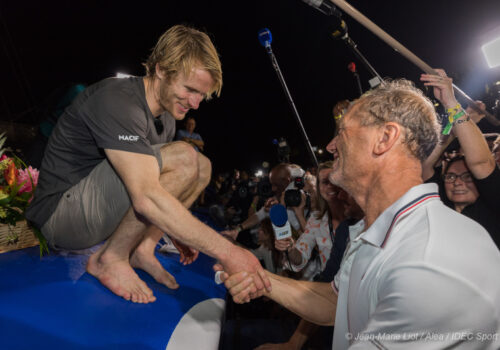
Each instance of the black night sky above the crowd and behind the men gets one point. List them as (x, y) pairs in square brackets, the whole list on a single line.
[(45, 45)]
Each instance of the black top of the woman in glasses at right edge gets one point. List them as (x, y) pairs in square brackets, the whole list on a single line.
[(485, 209)]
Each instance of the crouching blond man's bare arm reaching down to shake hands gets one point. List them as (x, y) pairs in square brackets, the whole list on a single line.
[(140, 174)]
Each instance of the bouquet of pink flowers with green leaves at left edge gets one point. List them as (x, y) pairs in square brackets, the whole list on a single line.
[(17, 185)]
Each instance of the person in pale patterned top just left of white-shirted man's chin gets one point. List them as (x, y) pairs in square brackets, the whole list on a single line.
[(320, 228)]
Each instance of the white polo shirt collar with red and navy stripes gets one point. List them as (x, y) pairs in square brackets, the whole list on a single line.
[(380, 230)]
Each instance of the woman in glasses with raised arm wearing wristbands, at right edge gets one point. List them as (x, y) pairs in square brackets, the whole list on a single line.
[(472, 182)]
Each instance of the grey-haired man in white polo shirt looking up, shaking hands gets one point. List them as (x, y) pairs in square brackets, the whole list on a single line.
[(404, 282)]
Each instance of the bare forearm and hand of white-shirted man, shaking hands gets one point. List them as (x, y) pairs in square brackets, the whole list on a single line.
[(314, 301)]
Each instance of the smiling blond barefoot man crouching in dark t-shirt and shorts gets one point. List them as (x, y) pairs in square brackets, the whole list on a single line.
[(109, 174)]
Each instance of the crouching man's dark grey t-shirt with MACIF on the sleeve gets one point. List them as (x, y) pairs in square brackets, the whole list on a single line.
[(111, 114)]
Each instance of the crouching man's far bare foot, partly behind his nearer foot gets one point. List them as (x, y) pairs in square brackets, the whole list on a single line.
[(145, 260)]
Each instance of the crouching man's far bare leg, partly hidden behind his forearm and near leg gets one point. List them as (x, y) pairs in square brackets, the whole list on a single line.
[(143, 256)]
